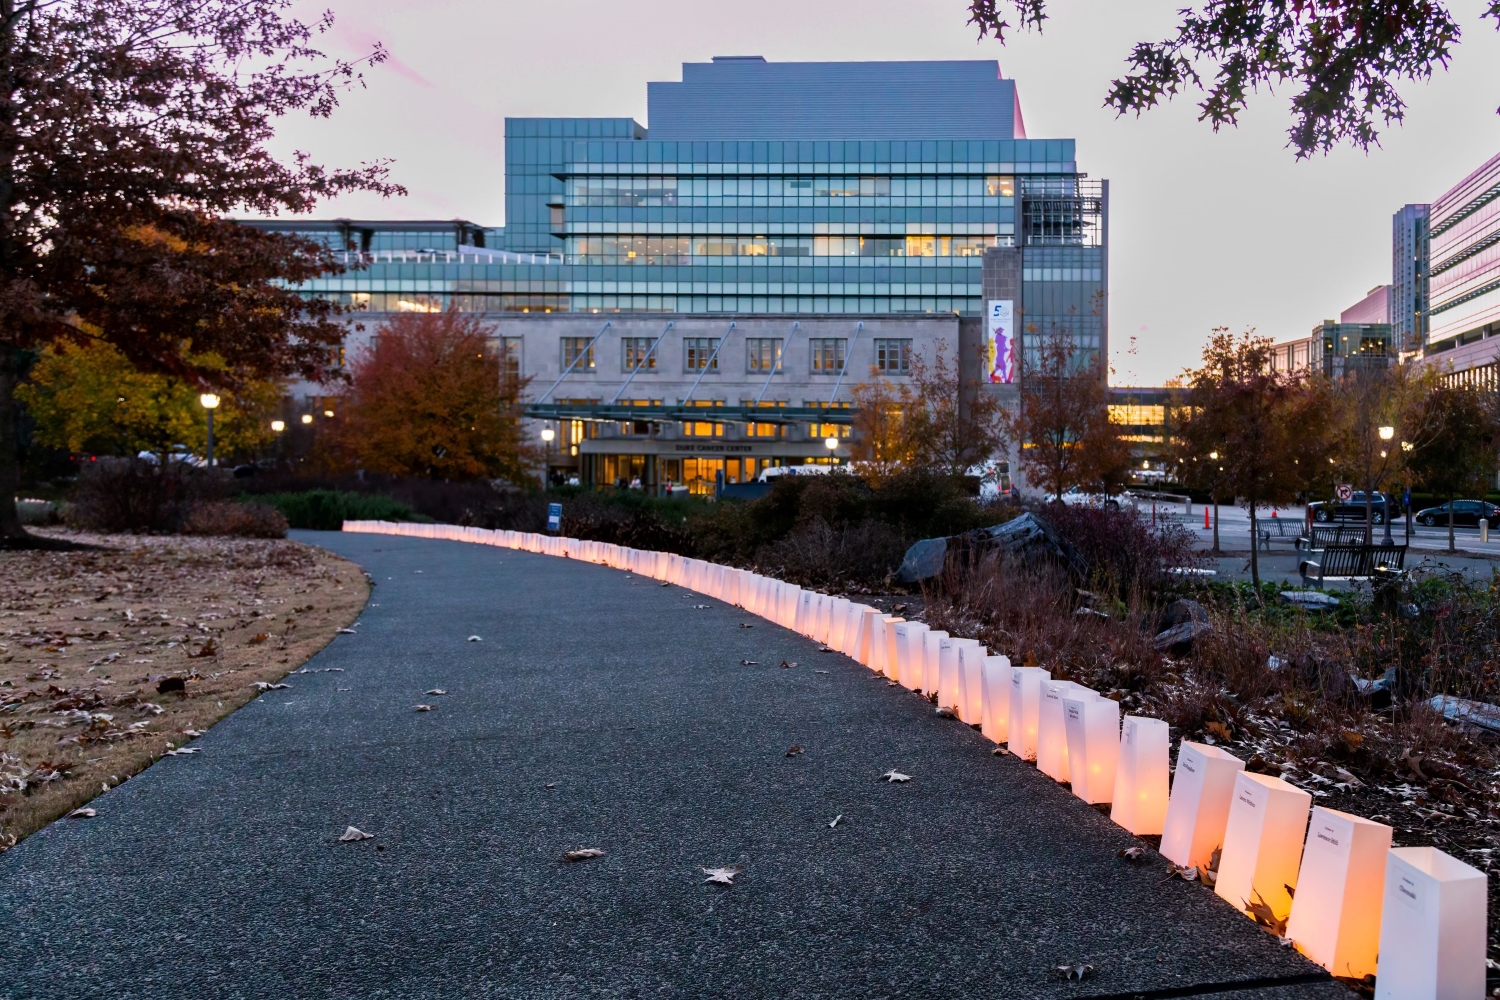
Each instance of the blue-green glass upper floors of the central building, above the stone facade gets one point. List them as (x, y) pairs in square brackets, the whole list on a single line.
[(760, 188)]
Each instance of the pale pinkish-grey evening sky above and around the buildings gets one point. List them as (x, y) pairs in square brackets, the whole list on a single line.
[(1208, 230)]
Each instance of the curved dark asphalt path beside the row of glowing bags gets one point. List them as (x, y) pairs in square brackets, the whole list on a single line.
[(599, 711)]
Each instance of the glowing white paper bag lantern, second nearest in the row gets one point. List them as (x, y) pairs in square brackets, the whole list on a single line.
[(1342, 884)]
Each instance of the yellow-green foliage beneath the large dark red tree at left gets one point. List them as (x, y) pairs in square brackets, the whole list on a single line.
[(91, 400)]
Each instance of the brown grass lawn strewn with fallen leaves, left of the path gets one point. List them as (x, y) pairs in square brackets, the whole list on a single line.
[(116, 656)]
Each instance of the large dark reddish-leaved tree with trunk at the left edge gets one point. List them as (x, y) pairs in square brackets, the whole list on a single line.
[(128, 131)]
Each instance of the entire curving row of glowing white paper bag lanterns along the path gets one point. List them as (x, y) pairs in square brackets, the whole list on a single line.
[(1346, 896)]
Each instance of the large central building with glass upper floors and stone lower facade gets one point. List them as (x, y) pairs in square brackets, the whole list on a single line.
[(778, 203)]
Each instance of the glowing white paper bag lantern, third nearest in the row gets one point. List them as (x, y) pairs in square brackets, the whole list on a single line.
[(1268, 821)]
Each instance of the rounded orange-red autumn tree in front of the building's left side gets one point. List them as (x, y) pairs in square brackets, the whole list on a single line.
[(430, 400)]
